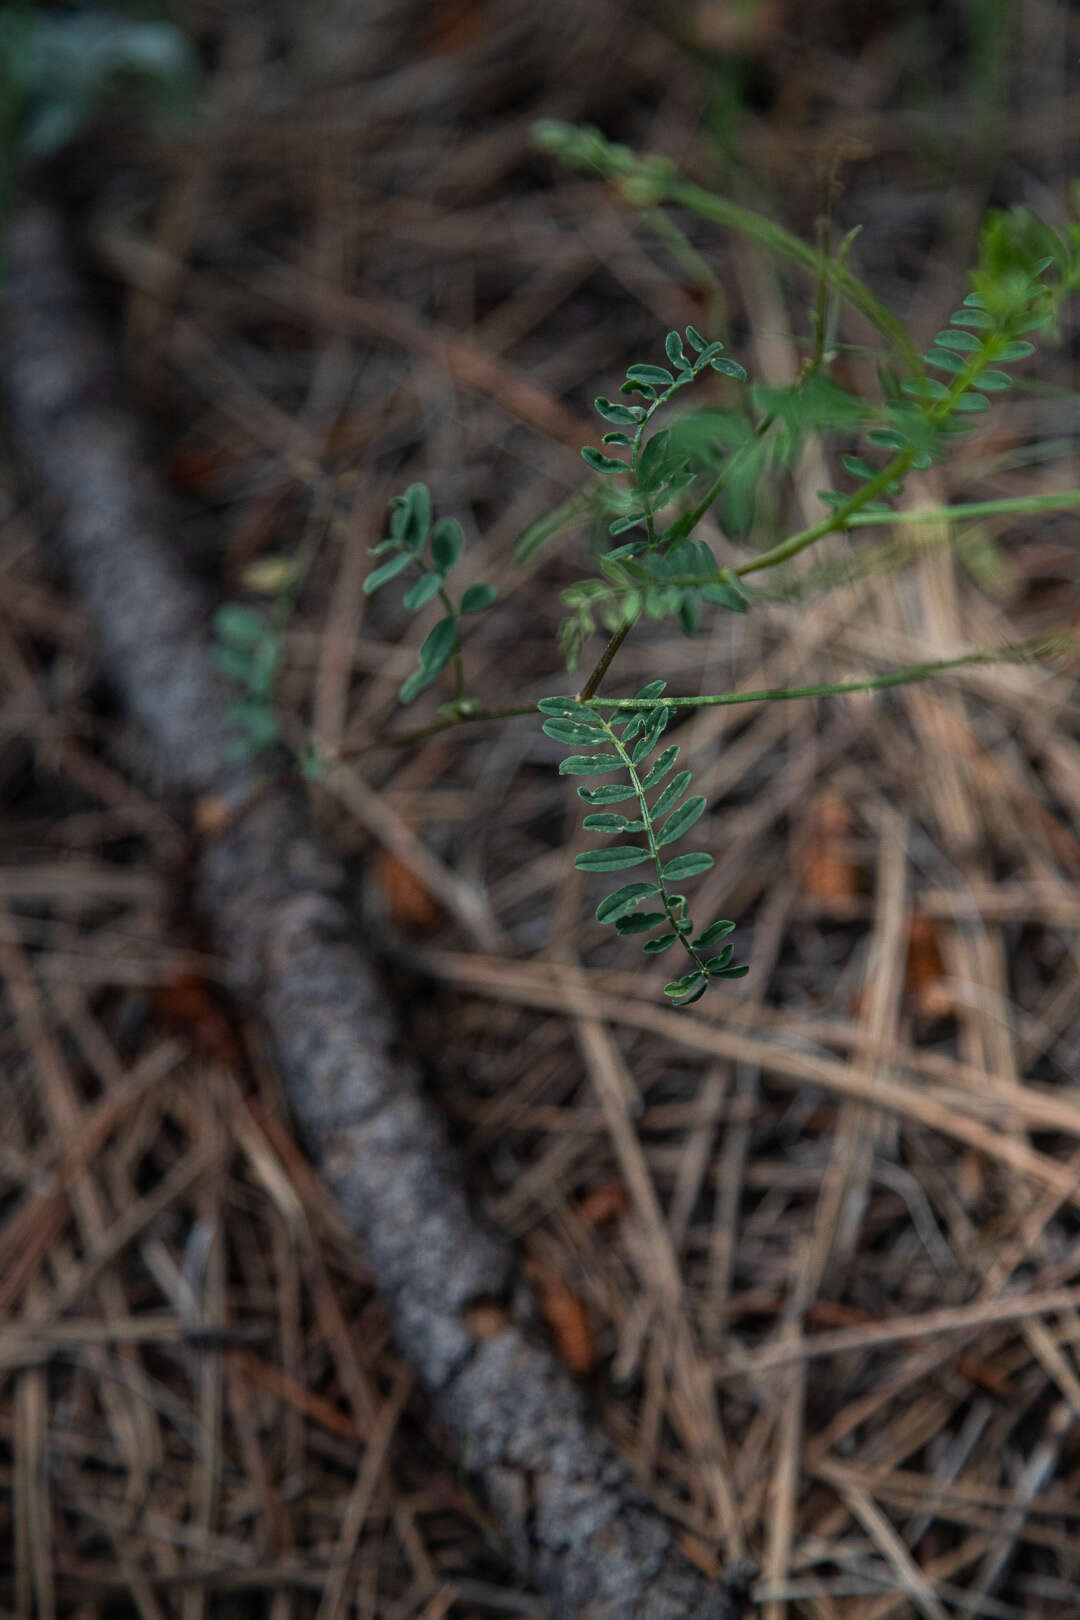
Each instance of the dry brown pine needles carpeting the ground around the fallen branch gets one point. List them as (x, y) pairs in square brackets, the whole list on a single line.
[(814, 1245)]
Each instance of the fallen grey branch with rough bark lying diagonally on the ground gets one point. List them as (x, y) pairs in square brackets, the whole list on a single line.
[(580, 1528)]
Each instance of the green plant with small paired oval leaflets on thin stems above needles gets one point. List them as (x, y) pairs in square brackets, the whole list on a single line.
[(657, 485)]
